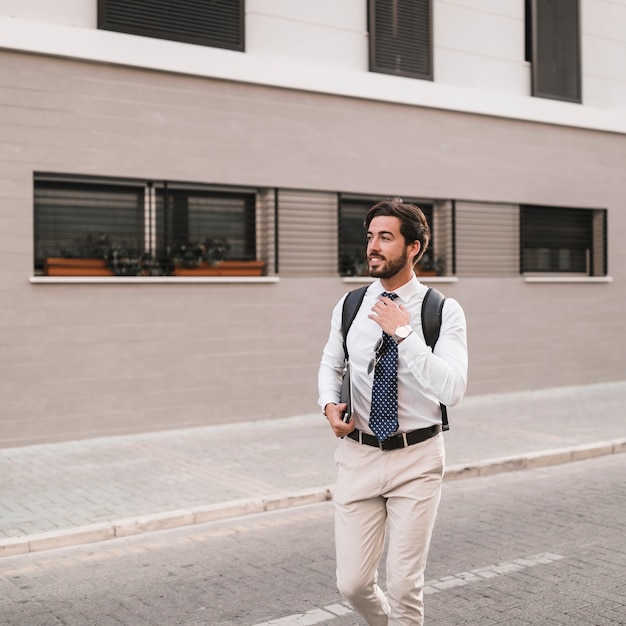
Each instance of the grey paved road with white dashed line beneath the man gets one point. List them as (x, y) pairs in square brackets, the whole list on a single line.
[(539, 547)]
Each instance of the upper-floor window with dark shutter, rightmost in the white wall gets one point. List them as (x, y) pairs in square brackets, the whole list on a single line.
[(553, 48)]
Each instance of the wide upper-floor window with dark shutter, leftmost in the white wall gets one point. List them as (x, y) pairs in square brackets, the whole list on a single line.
[(216, 23)]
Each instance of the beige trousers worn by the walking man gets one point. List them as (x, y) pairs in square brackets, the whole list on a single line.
[(394, 493)]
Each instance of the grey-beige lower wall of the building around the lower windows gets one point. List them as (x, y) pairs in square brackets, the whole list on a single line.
[(86, 360)]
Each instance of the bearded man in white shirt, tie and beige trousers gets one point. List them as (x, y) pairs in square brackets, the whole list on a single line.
[(390, 460)]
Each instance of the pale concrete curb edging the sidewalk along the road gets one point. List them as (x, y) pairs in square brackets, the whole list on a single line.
[(15, 546)]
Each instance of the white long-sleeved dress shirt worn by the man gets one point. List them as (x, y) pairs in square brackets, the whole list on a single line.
[(425, 378)]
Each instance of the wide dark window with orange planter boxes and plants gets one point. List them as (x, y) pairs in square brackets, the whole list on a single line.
[(130, 228)]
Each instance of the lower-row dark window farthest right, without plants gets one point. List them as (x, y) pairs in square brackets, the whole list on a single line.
[(563, 240)]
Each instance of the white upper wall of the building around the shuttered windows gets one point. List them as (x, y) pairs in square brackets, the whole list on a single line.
[(322, 46)]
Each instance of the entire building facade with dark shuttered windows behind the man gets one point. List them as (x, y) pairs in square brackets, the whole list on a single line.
[(164, 145)]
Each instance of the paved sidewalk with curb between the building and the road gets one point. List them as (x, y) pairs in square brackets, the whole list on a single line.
[(53, 495)]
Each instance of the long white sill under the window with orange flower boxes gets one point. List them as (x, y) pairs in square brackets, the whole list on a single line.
[(149, 280)]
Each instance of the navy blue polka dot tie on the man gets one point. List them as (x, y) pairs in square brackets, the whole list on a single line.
[(384, 411)]
